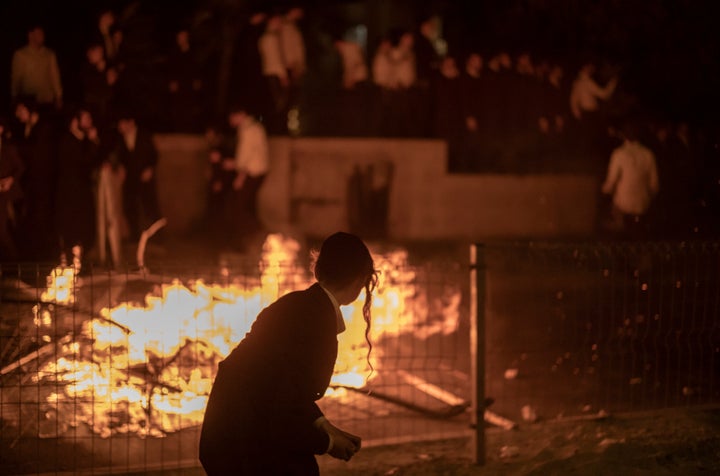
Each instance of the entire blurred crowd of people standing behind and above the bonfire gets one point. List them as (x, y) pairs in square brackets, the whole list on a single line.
[(498, 112)]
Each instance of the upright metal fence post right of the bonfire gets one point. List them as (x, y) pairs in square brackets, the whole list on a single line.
[(477, 349)]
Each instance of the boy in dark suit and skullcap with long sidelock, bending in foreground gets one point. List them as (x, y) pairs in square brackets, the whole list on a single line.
[(263, 397)]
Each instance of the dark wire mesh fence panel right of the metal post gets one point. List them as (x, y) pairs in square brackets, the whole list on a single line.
[(580, 328)]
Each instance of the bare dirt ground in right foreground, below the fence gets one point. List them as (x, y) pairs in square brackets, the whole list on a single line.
[(682, 442)]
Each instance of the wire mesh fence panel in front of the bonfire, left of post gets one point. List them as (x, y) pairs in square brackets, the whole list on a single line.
[(109, 371)]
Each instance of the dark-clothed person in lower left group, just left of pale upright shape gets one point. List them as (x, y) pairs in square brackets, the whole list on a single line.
[(78, 159)]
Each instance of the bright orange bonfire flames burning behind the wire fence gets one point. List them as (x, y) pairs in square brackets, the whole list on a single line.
[(147, 369)]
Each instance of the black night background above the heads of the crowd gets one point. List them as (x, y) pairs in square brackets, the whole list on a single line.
[(664, 51)]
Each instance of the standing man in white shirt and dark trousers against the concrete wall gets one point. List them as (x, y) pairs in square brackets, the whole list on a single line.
[(252, 163)]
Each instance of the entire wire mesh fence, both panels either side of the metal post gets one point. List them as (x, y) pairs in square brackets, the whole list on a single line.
[(109, 371)]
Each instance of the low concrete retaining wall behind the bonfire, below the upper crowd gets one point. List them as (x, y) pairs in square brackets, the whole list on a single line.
[(308, 191)]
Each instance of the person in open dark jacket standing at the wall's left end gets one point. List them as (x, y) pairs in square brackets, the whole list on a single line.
[(136, 152)]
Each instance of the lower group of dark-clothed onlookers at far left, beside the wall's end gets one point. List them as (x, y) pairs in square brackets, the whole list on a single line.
[(53, 165)]
